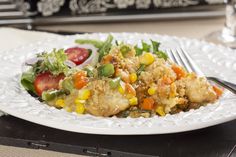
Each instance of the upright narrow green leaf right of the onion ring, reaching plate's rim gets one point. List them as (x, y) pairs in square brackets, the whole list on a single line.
[(104, 50)]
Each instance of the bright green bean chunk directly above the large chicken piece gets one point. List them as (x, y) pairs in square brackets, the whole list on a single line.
[(106, 70)]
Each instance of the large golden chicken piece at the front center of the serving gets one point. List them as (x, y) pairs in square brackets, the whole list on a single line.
[(105, 101)]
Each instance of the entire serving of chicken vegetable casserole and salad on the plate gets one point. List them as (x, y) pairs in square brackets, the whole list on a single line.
[(106, 78)]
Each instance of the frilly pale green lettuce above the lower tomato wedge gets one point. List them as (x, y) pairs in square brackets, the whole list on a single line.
[(53, 62)]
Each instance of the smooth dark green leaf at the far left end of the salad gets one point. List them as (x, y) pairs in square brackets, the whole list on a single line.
[(27, 81)]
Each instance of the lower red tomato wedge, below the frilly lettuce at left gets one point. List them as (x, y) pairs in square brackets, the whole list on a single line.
[(46, 81)]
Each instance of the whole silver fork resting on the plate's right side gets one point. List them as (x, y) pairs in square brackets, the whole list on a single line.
[(182, 58)]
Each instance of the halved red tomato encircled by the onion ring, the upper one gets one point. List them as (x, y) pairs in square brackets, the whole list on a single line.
[(77, 55)]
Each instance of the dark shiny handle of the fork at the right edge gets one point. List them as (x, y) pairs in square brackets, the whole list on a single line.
[(228, 85)]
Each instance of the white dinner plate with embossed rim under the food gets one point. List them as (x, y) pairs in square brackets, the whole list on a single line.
[(214, 61)]
